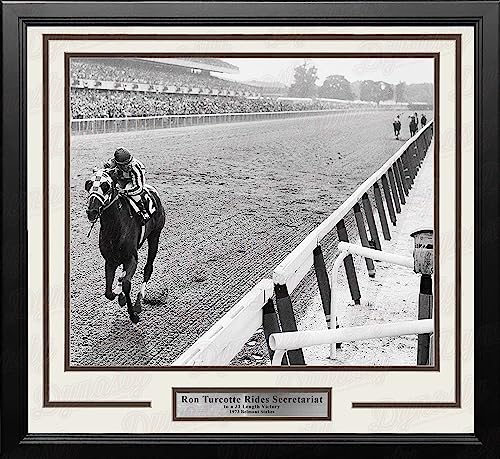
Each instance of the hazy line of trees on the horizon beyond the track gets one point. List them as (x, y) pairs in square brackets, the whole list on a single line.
[(338, 87)]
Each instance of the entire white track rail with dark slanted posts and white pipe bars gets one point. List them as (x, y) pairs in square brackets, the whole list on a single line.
[(260, 308)]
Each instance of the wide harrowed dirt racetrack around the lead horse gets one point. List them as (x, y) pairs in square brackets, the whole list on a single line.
[(238, 198)]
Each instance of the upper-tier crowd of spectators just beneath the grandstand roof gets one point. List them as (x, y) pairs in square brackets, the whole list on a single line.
[(148, 72)]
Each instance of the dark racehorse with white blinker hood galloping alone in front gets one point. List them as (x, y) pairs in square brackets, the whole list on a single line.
[(121, 235)]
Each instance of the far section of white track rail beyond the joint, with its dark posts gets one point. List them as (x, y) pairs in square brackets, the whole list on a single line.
[(395, 178)]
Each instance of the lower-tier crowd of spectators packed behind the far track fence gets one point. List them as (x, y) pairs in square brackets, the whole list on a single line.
[(97, 103)]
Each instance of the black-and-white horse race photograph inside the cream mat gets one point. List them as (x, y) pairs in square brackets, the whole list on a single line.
[(251, 211)]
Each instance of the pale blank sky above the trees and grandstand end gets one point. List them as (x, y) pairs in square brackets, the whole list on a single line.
[(391, 70)]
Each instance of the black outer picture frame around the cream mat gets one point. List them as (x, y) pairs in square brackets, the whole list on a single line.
[(17, 17)]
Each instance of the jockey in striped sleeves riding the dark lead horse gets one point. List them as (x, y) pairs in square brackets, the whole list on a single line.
[(129, 173)]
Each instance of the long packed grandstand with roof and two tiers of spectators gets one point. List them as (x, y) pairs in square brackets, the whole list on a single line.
[(133, 87)]
